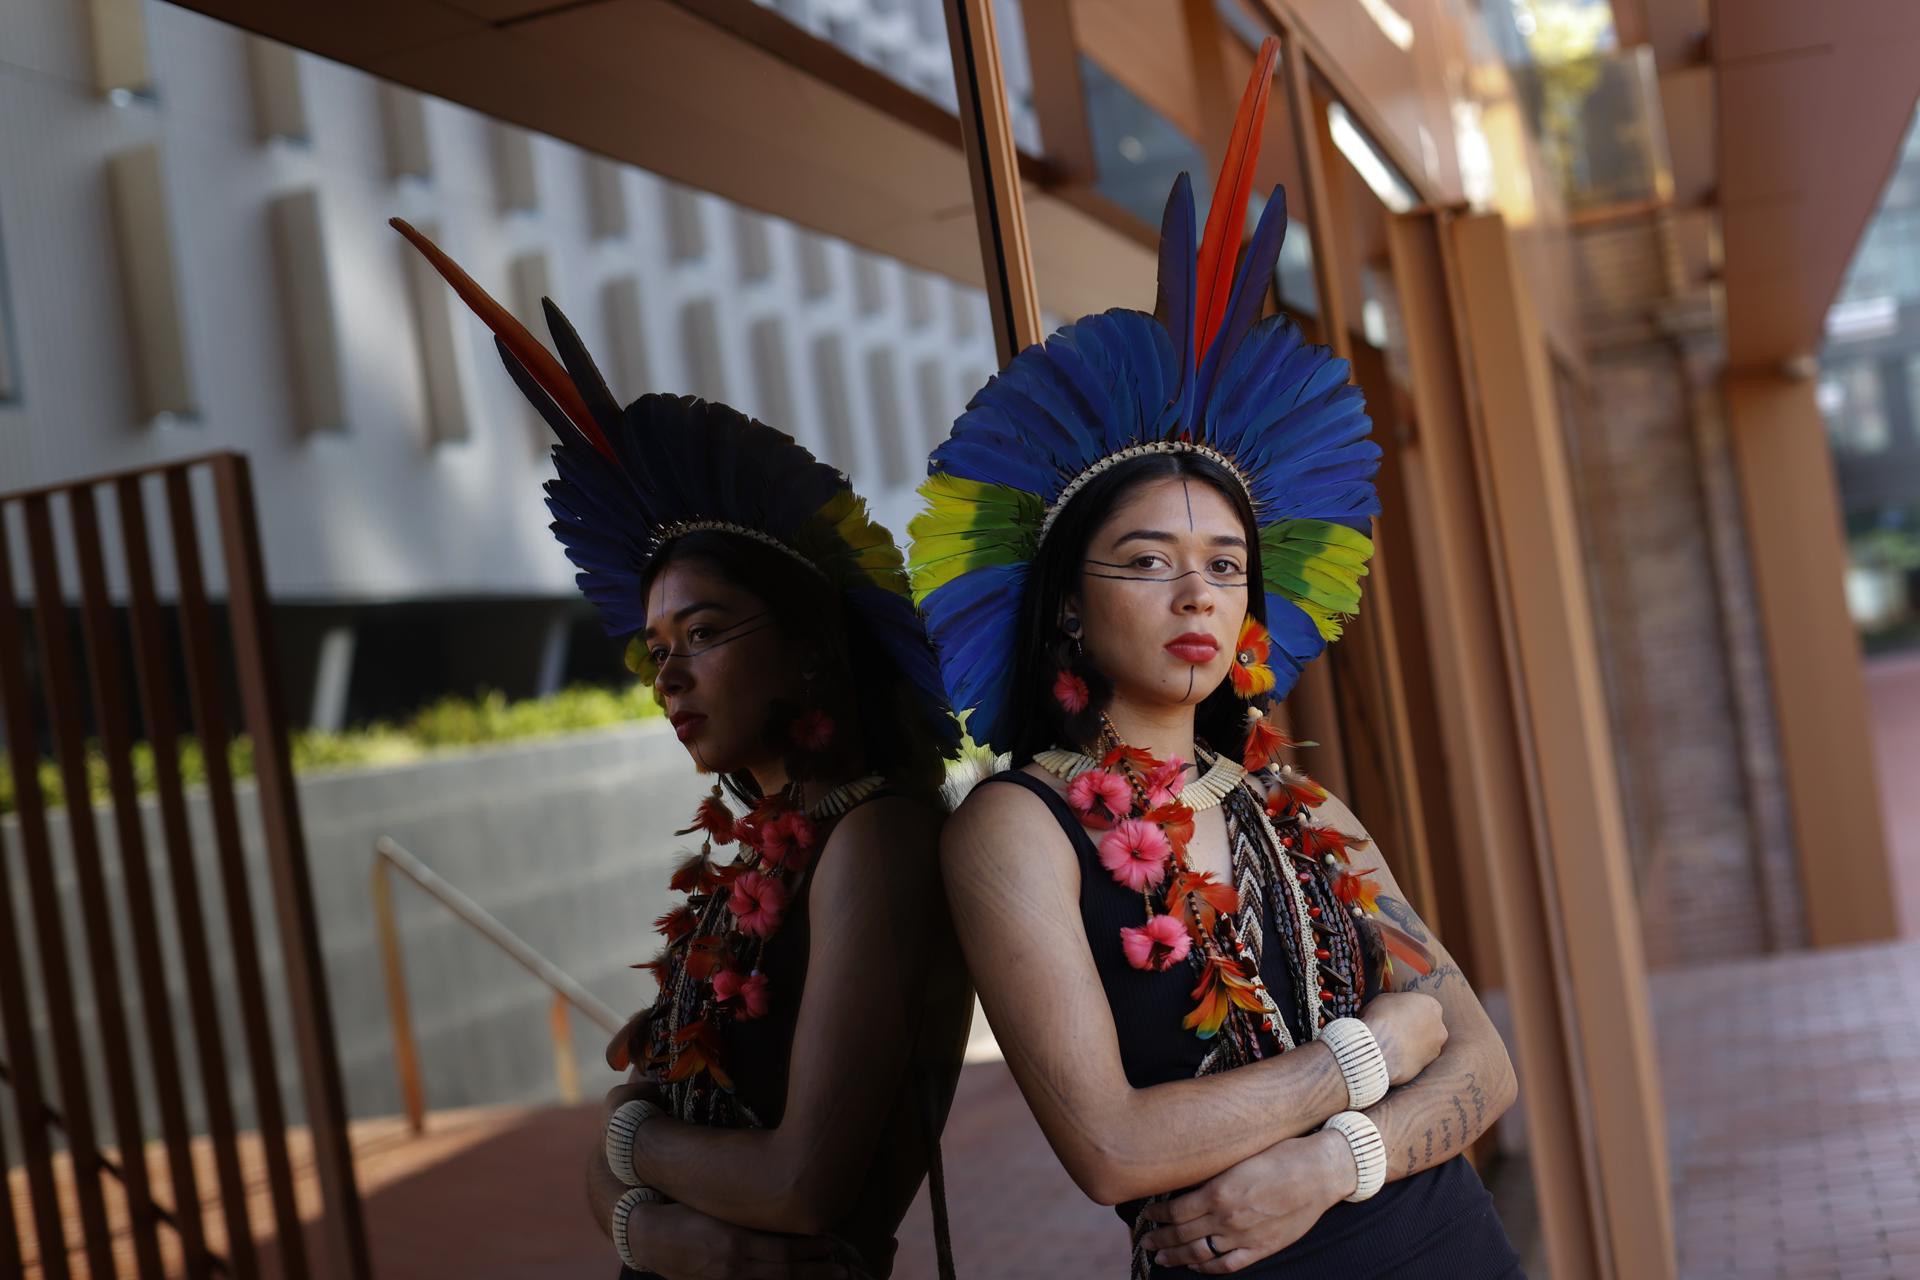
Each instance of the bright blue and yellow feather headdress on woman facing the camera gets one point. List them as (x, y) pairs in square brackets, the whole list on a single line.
[(1203, 375)]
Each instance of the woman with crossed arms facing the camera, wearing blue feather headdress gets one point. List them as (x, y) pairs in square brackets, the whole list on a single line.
[(1207, 984)]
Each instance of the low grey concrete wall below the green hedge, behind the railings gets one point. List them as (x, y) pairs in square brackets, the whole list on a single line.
[(567, 841)]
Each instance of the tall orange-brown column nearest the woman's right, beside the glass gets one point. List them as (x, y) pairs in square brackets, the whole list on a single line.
[(1556, 688)]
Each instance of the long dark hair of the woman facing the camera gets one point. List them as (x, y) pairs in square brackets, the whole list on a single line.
[(1040, 721)]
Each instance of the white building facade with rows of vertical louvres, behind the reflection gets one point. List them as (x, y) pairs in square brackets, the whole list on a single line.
[(195, 256)]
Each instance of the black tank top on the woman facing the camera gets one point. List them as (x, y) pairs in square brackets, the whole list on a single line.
[(1437, 1223)]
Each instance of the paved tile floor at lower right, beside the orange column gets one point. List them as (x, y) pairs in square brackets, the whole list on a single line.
[(1794, 1116)]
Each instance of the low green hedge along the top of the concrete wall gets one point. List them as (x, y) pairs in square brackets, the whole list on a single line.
[(446, 724)]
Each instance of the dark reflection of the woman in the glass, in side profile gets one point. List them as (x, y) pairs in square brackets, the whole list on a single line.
[(790, 1081)]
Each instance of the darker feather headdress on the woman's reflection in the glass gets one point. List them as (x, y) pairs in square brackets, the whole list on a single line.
[(633, 481)]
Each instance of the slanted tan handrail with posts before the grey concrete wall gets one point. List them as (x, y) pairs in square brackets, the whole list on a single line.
[(387, 853)]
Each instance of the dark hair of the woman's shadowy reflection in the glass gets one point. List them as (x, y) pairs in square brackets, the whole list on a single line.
[(855, 680)]
